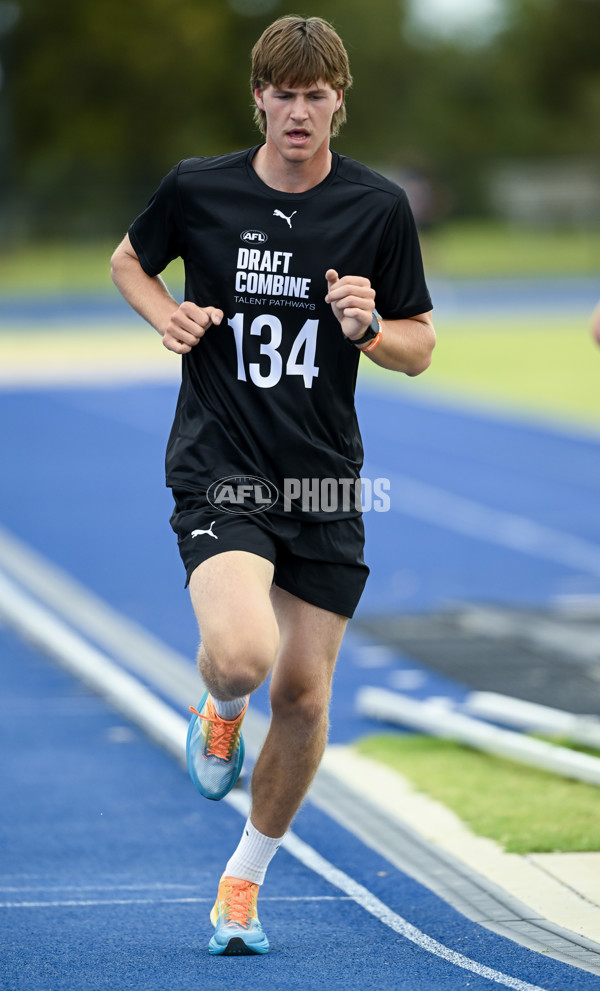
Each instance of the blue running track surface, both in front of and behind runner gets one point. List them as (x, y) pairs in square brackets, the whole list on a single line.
[(108, 858)]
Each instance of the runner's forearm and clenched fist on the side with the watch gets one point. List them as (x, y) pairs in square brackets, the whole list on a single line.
[(404, 346)]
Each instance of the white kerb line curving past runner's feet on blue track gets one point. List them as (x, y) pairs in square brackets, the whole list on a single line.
[(37, 625)]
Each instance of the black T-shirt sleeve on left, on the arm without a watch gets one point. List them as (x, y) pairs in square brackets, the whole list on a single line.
[(158, 234)]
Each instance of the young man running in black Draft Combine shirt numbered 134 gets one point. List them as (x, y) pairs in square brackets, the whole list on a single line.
[(288, 247)]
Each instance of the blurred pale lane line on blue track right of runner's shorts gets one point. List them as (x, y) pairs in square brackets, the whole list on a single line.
[(474, 519)]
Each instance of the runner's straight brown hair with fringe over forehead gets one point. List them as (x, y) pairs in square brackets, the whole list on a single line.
[(299, 51)]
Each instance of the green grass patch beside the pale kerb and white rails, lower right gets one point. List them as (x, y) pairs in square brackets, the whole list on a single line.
[(524, 809)]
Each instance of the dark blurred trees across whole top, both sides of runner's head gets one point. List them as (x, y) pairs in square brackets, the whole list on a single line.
[(106, 96)]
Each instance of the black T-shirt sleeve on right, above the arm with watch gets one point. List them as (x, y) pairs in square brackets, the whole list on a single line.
[(401, 290)]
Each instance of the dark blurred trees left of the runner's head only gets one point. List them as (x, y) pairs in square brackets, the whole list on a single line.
[(110, 94)]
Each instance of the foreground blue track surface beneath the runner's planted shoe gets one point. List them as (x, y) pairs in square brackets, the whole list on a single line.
[(104, 839)]
